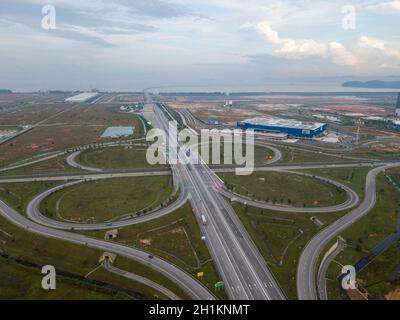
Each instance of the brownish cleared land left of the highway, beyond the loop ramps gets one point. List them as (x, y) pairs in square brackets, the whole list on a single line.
[(75, 127)]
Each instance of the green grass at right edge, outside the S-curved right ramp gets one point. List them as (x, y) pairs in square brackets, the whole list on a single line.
[(366, 233)]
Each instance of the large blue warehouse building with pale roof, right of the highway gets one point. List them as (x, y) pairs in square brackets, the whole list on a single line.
[(292, 128)]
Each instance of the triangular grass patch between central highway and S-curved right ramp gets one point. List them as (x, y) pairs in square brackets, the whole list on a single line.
[(281, 237)]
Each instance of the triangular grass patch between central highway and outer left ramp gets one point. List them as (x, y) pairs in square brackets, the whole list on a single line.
[(175, 237)]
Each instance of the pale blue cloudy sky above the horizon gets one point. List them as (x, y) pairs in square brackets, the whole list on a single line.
[(131, 45)]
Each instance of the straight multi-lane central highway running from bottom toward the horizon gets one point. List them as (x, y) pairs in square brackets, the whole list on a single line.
[(239, 263)]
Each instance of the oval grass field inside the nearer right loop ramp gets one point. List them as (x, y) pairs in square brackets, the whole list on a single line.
[(285, 188)]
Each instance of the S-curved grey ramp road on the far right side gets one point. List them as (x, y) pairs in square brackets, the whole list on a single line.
[(307, 266)]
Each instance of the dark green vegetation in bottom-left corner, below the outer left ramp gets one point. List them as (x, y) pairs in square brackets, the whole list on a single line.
[(72, 260)]
